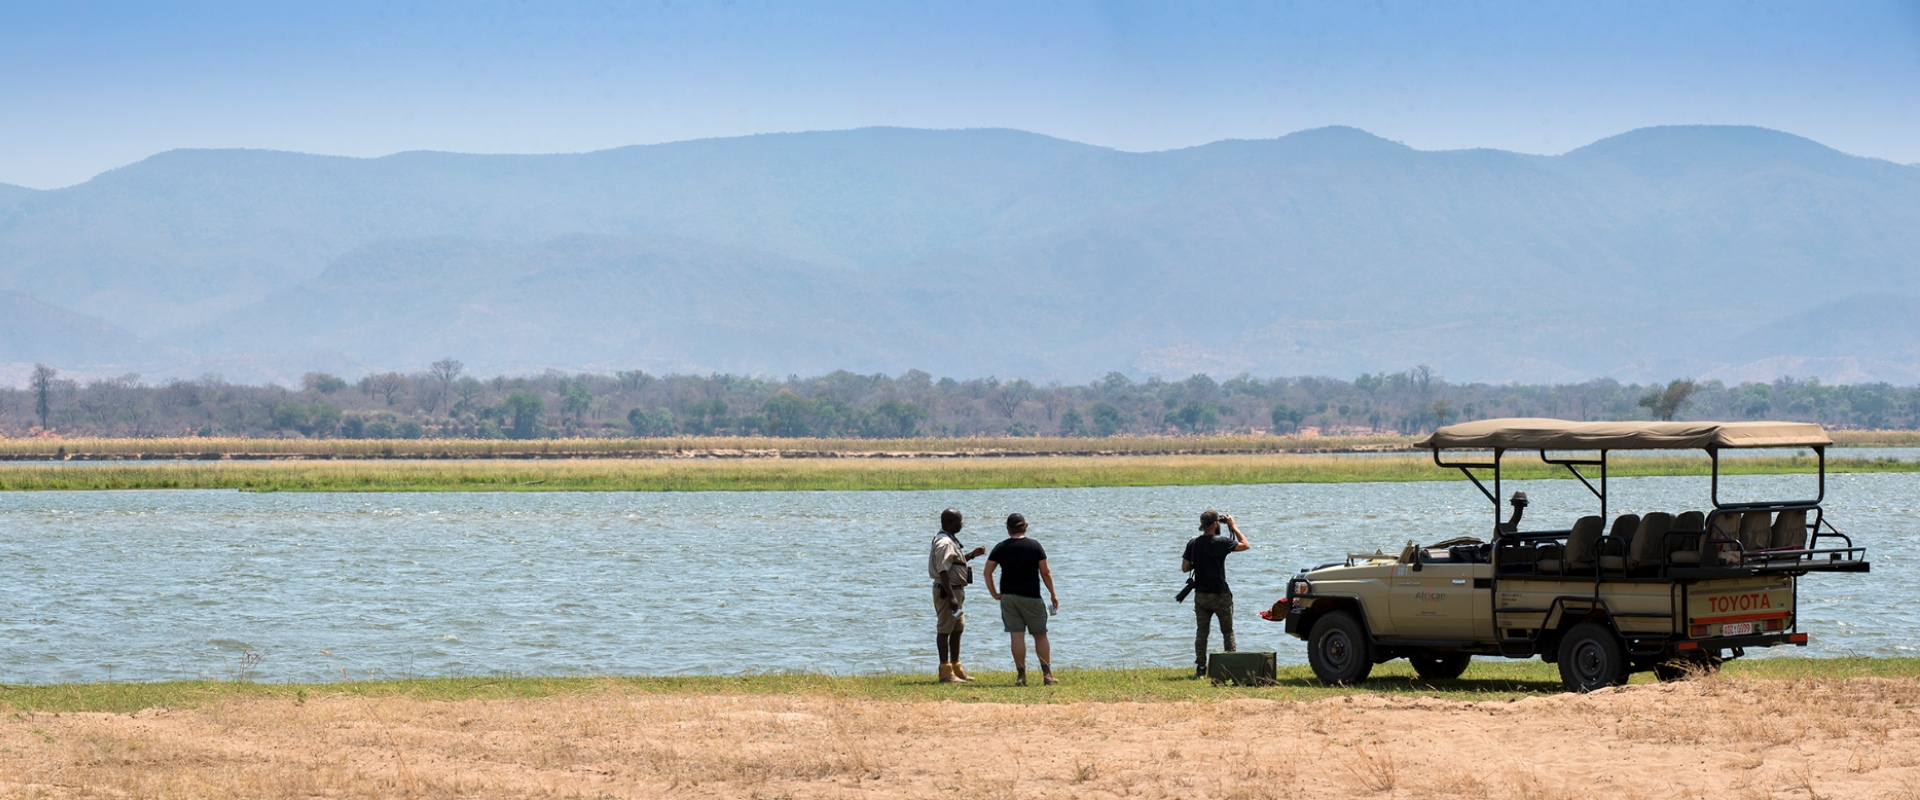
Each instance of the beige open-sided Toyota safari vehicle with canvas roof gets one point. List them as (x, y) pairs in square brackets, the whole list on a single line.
[(1671, 592)]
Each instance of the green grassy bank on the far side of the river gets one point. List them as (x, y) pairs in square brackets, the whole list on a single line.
[(830, 475)]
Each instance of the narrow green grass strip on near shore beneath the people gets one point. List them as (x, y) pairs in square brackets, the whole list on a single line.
[(1483, 682)]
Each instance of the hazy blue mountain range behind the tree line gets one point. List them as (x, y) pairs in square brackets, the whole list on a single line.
[(1714, 252)]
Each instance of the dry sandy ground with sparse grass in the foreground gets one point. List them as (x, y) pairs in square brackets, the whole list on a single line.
[(1700, 740)]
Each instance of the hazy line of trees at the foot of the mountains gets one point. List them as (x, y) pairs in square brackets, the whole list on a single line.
[(448, 402)]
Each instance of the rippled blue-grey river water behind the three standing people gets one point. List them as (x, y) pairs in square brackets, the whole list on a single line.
[(145, 586)]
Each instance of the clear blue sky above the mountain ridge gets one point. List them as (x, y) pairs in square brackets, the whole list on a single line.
[(95, 85)]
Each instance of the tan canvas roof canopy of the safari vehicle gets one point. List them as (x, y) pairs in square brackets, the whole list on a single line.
[(1623, 436)]
